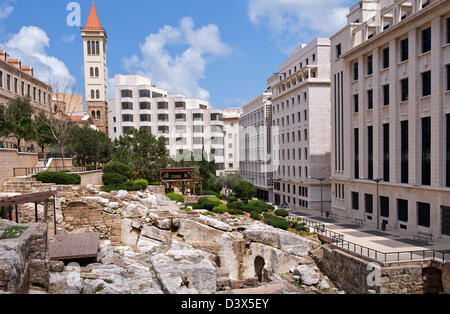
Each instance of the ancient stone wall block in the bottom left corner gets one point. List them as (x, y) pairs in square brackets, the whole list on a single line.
[(24, 261)]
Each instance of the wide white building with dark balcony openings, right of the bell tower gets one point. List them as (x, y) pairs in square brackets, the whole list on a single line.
[(188, 125)]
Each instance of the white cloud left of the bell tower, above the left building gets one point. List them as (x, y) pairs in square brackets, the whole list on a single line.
[(29, 45)]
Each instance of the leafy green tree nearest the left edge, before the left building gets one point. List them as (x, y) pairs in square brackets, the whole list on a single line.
[(18, 121)]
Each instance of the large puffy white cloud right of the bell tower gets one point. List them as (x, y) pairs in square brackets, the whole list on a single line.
[(180, 73)]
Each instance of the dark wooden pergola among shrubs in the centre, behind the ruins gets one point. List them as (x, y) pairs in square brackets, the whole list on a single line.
[(182, 177)]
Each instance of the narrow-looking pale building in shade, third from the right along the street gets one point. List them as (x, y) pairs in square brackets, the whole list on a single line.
[(255, 145)]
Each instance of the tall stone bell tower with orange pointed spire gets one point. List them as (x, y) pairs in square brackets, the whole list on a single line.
[(95, 70)]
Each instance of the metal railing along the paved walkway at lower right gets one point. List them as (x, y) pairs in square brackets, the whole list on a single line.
[(383, 257)]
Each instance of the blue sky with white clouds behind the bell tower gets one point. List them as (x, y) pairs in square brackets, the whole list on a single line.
[(223, 50)]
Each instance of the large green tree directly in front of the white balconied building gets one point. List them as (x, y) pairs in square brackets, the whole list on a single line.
[(142, 152)]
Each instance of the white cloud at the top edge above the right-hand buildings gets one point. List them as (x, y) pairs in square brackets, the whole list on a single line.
[(299, 19)]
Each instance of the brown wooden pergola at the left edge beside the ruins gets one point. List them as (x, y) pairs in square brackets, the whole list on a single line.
[(7, 204)]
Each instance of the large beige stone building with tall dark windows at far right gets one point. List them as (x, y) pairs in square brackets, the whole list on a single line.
[(390, 70)]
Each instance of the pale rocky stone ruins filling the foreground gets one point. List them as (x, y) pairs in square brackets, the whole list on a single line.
[(149, 245)]
